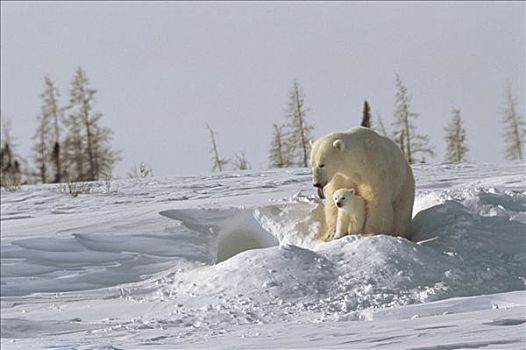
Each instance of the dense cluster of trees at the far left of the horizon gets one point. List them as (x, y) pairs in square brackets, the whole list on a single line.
[(70, 145)]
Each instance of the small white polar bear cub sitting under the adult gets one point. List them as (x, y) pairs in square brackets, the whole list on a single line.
[(351, 212)]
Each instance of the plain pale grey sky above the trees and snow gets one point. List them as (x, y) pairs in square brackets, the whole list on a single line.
[(165, 70)]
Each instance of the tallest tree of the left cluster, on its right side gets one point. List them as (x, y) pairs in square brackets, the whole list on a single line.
[(87, 142)]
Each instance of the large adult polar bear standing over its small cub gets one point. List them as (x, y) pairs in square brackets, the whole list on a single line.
[(376, 168)]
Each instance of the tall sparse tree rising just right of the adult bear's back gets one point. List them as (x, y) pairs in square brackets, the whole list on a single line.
[(405, 135)]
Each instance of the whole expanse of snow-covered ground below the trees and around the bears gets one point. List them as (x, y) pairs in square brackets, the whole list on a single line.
[(167, 263)]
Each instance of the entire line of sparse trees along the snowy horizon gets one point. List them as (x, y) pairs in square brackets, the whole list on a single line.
[(70, 145)]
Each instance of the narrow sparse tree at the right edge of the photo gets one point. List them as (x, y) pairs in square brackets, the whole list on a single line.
[(514, 130)]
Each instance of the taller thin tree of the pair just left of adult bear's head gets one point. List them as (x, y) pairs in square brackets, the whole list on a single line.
[(299, 129)]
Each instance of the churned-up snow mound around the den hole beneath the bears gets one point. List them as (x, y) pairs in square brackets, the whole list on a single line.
[(454, 253)]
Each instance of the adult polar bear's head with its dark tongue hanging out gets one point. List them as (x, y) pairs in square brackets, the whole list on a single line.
[(326, 156)]
